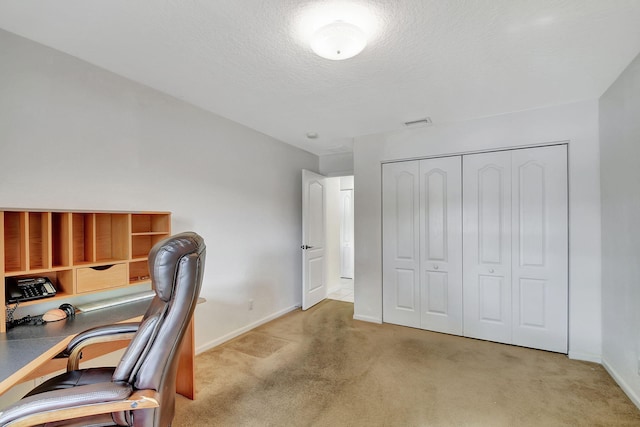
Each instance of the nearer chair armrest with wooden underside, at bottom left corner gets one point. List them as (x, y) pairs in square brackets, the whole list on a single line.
[(81, 401)]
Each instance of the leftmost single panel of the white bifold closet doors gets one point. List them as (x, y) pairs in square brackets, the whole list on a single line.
[(401, 244)]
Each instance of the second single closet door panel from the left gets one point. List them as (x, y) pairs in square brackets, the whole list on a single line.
[(441, 244)]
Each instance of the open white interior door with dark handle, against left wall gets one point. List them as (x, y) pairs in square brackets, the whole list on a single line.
[(314, 286)]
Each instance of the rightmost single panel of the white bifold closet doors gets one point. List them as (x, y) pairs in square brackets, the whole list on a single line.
[(540, 248)]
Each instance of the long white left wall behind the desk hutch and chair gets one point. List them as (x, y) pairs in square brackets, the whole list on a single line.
[(74, 136)]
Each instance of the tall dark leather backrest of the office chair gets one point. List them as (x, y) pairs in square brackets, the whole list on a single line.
[(176, 266)]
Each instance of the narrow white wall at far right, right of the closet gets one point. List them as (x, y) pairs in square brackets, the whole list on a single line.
[(620, 183)]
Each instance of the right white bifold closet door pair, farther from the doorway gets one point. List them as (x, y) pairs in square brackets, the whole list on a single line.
[(515, 230)]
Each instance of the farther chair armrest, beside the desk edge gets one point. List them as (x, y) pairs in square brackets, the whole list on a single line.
[(107, 333)]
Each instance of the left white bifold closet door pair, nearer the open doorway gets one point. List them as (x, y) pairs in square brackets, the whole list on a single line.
[(422, 244)]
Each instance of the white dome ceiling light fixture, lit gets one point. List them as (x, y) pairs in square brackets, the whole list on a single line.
[(338, 40)]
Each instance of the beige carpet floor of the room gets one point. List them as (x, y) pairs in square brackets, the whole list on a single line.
[(322, 368)]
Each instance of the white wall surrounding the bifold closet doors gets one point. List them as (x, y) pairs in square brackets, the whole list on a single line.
[(576, 123)]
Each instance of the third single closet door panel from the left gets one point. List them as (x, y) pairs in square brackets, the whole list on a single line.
[(487, 246)]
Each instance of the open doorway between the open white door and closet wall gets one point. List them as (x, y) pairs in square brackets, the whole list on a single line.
[(339, 238)]
